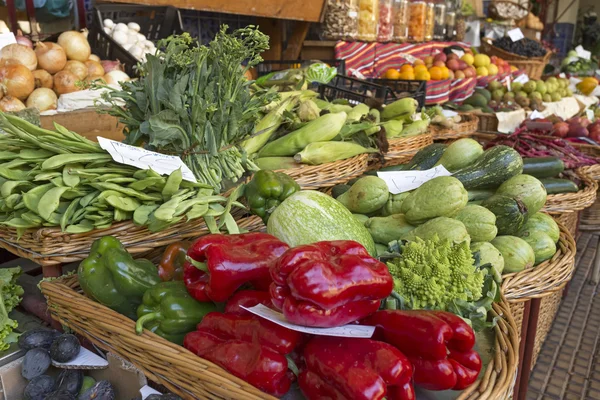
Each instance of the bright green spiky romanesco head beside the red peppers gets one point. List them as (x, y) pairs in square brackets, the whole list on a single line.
[(431, 274)]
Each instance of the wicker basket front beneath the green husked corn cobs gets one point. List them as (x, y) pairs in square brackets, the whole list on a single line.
[(314, 177)]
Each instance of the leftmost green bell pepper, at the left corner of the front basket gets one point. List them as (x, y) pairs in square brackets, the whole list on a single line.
[(113, 278)]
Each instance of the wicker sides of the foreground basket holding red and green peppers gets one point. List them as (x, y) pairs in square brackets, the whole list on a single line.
[(192, 377)]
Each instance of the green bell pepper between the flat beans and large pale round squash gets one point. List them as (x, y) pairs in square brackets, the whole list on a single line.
[(267, 190)]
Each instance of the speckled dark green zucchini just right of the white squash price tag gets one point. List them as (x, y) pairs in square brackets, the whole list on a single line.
[(495, 166)]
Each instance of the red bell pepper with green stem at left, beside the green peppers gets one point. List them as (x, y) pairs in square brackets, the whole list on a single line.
[(226, 262)]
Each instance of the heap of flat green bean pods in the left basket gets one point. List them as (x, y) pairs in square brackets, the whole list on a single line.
[(59, 178)]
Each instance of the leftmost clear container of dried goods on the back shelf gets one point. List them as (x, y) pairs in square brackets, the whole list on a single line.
[(341, 20)]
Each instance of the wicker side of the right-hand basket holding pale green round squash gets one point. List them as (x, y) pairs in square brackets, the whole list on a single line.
[(546, 278)]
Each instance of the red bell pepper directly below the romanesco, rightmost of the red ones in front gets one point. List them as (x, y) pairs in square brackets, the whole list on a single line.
[(439, 345)]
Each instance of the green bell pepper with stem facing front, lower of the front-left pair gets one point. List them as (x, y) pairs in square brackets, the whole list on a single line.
[(169, 311)]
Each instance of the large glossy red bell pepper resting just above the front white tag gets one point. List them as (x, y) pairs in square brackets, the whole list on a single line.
[(329, 284)]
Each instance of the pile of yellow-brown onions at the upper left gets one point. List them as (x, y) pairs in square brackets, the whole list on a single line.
[(39, 77)]
